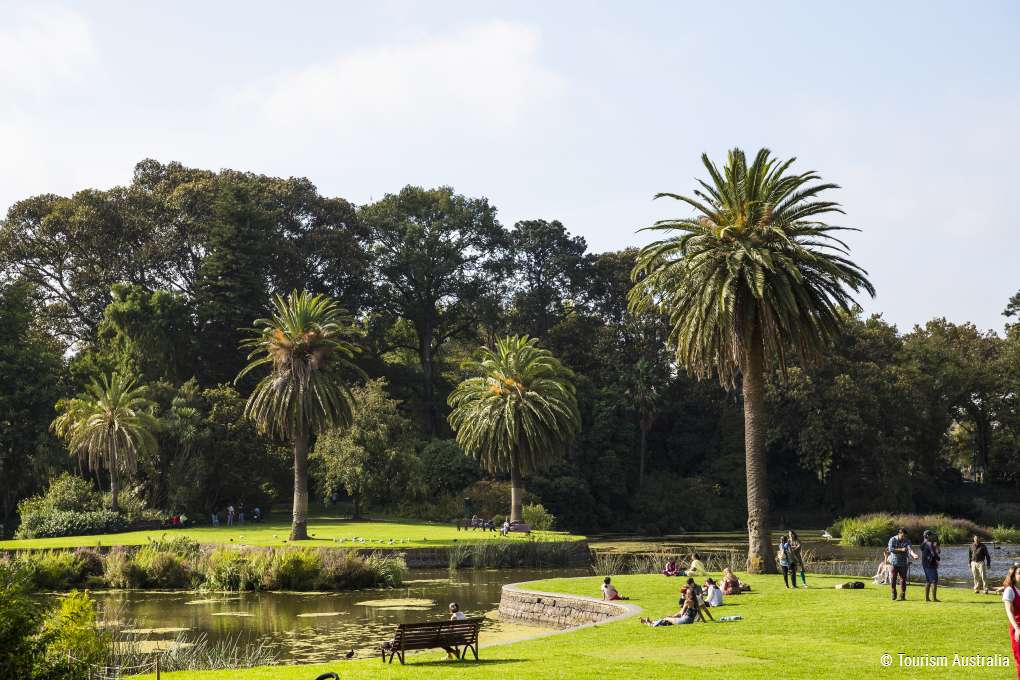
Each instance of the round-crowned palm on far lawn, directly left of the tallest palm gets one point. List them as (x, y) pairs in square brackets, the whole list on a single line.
[(518, 413)]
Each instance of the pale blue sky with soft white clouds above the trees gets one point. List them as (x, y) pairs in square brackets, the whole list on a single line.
[(554, 111)]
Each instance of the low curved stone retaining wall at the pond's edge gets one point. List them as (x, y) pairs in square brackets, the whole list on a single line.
[(557, 610)]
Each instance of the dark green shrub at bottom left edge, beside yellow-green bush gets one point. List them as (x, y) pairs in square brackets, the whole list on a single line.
[(20, 619)]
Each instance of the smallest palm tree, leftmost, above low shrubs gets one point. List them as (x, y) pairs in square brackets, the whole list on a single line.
[(111, 425)]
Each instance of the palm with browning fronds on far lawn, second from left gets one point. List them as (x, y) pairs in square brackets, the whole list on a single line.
[(307, 391)]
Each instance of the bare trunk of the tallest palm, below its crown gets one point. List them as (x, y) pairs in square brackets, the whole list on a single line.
[(753, 380)]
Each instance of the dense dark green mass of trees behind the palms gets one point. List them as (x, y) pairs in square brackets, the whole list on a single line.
[(156, 280)]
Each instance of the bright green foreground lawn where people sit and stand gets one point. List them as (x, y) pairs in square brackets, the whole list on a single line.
[(814, 634)]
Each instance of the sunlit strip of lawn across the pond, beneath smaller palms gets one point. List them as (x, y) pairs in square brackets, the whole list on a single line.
[(324, 533)]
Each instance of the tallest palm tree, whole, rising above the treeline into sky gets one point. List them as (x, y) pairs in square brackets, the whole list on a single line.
[(752, 276)]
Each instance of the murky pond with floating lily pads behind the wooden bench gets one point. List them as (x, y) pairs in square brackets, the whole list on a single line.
[(313, 627)]
